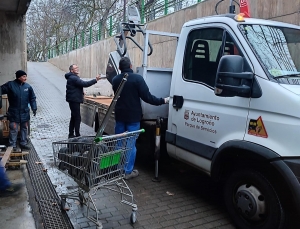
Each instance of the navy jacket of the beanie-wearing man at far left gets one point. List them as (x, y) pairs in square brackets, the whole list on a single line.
[(19, 95)]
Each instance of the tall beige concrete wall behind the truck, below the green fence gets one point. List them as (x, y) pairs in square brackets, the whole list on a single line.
[(93, 59)]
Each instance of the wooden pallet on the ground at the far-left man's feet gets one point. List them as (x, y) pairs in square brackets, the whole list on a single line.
[(7, 159)]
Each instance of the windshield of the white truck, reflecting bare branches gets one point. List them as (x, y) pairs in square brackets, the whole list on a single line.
[(278, 48)]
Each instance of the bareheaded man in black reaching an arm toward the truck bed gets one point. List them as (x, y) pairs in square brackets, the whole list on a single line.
[(74, 96)]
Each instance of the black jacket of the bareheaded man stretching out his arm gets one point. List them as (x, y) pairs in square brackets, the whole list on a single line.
[(75, 87)]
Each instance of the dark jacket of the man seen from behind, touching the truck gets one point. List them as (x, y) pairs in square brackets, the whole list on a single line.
[(128, 107)]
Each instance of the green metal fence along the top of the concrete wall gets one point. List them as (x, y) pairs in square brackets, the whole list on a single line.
[(149, 11)]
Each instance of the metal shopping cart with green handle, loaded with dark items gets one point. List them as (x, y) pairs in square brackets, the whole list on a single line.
[(94, 165)]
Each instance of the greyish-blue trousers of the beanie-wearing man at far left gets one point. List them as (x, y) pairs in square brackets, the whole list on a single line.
[(13, 133)]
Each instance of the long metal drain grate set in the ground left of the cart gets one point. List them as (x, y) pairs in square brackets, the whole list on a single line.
[(45, 194)]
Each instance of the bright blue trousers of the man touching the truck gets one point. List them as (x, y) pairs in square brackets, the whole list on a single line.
[(121, 127)]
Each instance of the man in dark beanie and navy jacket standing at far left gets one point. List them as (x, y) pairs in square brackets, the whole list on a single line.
[(20, 95)]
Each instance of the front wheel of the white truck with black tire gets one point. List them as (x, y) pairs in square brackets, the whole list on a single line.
[(252, 202)]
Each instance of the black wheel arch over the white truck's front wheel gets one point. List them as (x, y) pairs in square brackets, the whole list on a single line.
[(240, 154)]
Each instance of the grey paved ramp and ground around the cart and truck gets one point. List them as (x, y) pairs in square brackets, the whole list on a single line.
[(184, 198)]
